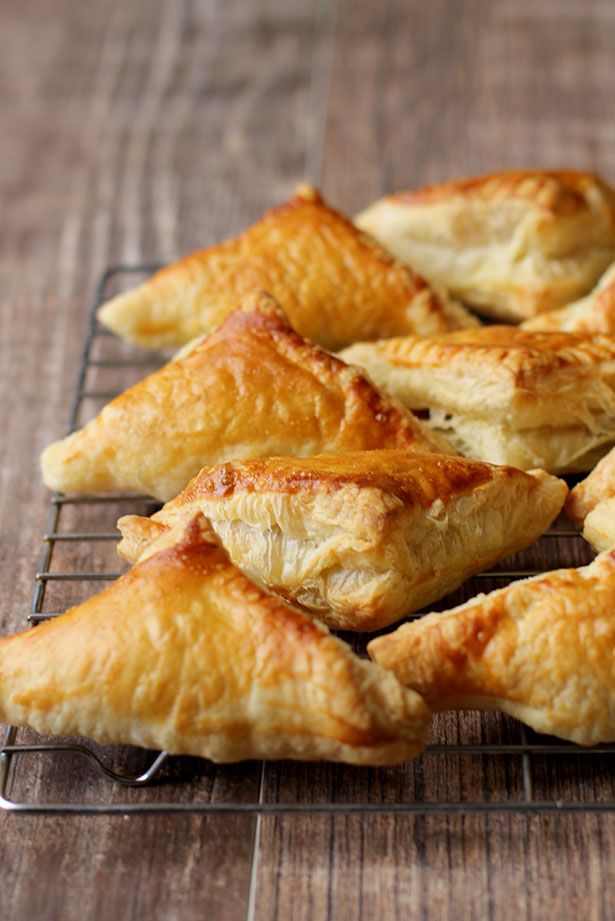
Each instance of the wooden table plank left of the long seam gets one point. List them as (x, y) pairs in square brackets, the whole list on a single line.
[(136, 131)]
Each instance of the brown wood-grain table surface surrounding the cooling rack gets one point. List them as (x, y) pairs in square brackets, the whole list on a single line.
[(136, 130)]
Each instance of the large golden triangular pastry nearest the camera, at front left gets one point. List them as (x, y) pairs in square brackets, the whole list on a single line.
[(186, 654)]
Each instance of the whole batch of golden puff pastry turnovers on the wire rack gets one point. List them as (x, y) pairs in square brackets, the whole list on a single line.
[(339, 443)]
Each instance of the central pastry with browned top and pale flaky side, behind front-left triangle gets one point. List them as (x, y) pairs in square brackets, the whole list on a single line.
[(362, 538)]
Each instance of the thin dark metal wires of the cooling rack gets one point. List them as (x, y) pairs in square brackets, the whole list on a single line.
[(17, 755)]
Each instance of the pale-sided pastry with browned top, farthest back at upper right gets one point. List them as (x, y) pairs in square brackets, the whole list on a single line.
[(511, 244)]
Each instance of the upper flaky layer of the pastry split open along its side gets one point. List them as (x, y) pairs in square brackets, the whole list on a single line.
[(544, 377)]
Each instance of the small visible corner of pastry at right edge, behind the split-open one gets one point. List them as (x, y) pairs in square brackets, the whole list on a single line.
[(594, 313)]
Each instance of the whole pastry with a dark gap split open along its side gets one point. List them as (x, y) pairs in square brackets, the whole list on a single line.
[(505, 395)]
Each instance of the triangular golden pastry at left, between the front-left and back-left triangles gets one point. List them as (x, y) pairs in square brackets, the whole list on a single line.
[(251, 389)]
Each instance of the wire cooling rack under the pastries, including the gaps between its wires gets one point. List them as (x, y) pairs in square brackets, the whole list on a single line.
[(480, 763)]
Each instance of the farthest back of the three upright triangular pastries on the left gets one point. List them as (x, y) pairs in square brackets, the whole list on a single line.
[(336, 284)]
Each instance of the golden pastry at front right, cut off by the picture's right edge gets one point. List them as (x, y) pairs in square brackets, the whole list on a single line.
[(542, 650)]
